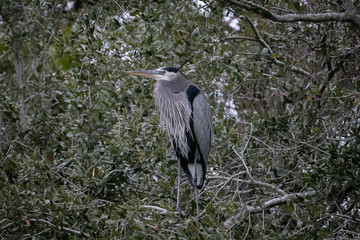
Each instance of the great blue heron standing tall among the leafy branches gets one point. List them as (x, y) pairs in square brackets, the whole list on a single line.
[(186, 114)]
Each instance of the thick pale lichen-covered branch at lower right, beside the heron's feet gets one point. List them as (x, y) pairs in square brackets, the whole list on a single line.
[(268, 204)]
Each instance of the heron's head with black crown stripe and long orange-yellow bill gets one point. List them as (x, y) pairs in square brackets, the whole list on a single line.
[(164, 73)]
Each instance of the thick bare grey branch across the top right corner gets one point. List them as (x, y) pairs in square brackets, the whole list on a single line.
[(350, 15)]
